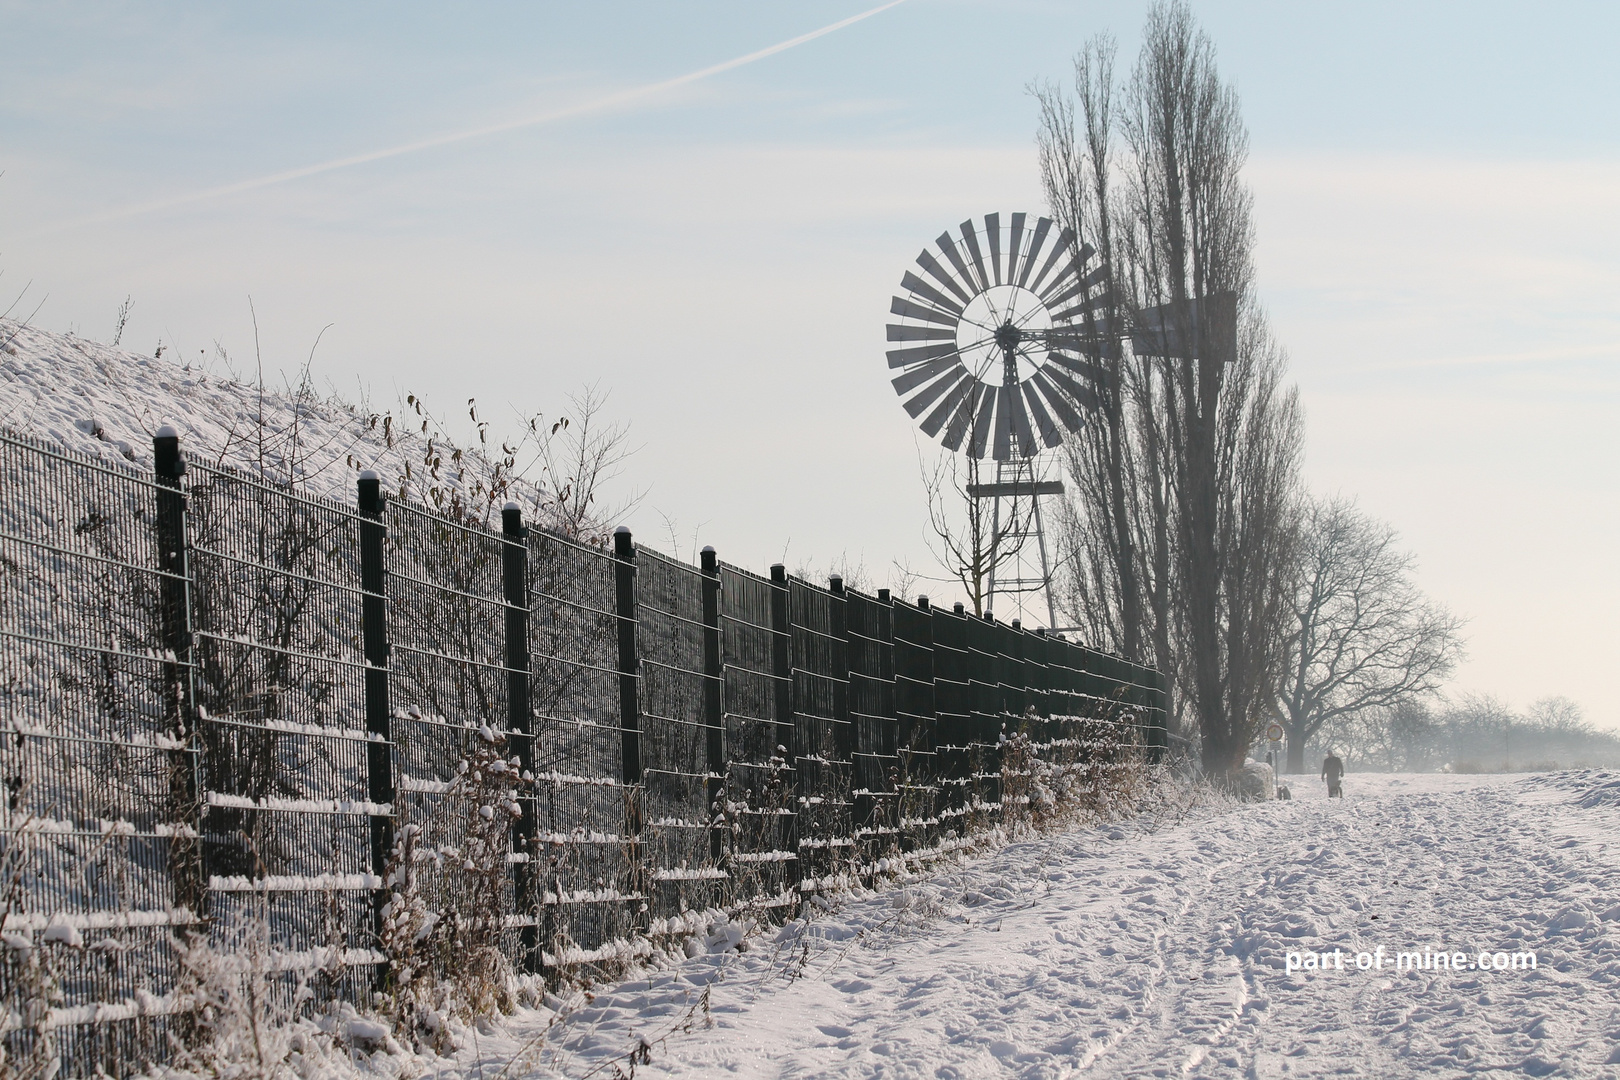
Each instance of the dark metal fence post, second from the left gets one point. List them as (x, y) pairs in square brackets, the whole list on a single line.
[(375, 639)]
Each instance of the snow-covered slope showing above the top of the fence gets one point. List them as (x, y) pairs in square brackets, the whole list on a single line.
[(108, 402)]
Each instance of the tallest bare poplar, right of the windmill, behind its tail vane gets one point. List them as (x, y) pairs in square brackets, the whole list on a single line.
[(1230, 430)]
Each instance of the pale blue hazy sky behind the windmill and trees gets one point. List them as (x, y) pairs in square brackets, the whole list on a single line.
[(1436, 211)]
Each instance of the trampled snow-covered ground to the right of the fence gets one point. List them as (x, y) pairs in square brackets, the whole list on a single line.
[(1161, 948)]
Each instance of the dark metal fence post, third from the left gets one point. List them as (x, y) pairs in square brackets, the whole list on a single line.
[(514, 580)]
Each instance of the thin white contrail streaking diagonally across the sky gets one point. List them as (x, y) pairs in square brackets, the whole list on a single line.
[(475, 134)]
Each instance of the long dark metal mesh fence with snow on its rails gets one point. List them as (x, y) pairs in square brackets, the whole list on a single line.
[(406, 746)]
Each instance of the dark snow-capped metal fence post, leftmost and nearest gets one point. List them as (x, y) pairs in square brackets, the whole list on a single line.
[(181, 715)]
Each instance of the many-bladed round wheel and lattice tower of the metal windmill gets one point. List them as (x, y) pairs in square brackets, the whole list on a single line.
[(997, 346)]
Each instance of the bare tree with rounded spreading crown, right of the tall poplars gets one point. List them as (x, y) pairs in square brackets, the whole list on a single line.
[(1363, 637)]
